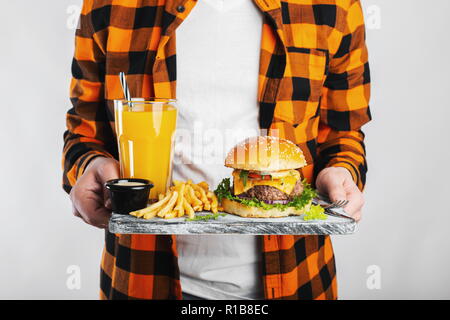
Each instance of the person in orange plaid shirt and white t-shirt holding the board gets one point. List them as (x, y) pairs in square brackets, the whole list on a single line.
[(310, 78)]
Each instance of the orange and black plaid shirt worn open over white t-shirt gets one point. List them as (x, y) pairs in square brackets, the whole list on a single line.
[(313, 88)]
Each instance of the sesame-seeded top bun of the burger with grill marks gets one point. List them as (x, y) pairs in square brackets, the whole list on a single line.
[(265, 153)]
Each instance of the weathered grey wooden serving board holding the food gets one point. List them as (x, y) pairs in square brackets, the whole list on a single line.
[(232, 224)]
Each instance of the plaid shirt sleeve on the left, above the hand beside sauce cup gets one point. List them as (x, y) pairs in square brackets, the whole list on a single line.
[(88, 133)]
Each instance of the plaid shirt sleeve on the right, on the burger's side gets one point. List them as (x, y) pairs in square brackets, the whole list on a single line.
[(345, 97)]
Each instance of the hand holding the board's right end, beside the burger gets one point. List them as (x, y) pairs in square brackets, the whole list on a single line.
[(338, 184)]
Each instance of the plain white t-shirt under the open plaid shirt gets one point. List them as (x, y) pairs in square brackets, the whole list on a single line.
[(218, 47)]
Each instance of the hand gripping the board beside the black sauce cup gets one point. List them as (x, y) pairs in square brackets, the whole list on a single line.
[(90, 201)]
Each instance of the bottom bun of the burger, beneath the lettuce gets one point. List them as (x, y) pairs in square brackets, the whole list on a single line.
[(256, 212)]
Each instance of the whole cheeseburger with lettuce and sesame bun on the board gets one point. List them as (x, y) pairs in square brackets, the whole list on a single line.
[(266, 181)]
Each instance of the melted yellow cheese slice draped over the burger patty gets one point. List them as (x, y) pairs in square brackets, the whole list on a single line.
[(282, 180)]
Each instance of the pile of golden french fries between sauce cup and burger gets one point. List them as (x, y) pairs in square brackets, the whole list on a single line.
[(182, 199)]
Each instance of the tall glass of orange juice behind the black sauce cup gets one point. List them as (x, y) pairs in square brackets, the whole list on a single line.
[(145, 135)]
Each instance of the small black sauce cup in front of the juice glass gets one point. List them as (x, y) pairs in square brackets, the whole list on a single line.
[(128, 198)]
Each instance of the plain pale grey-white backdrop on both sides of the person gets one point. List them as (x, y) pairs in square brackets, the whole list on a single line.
[(405, 228)]
